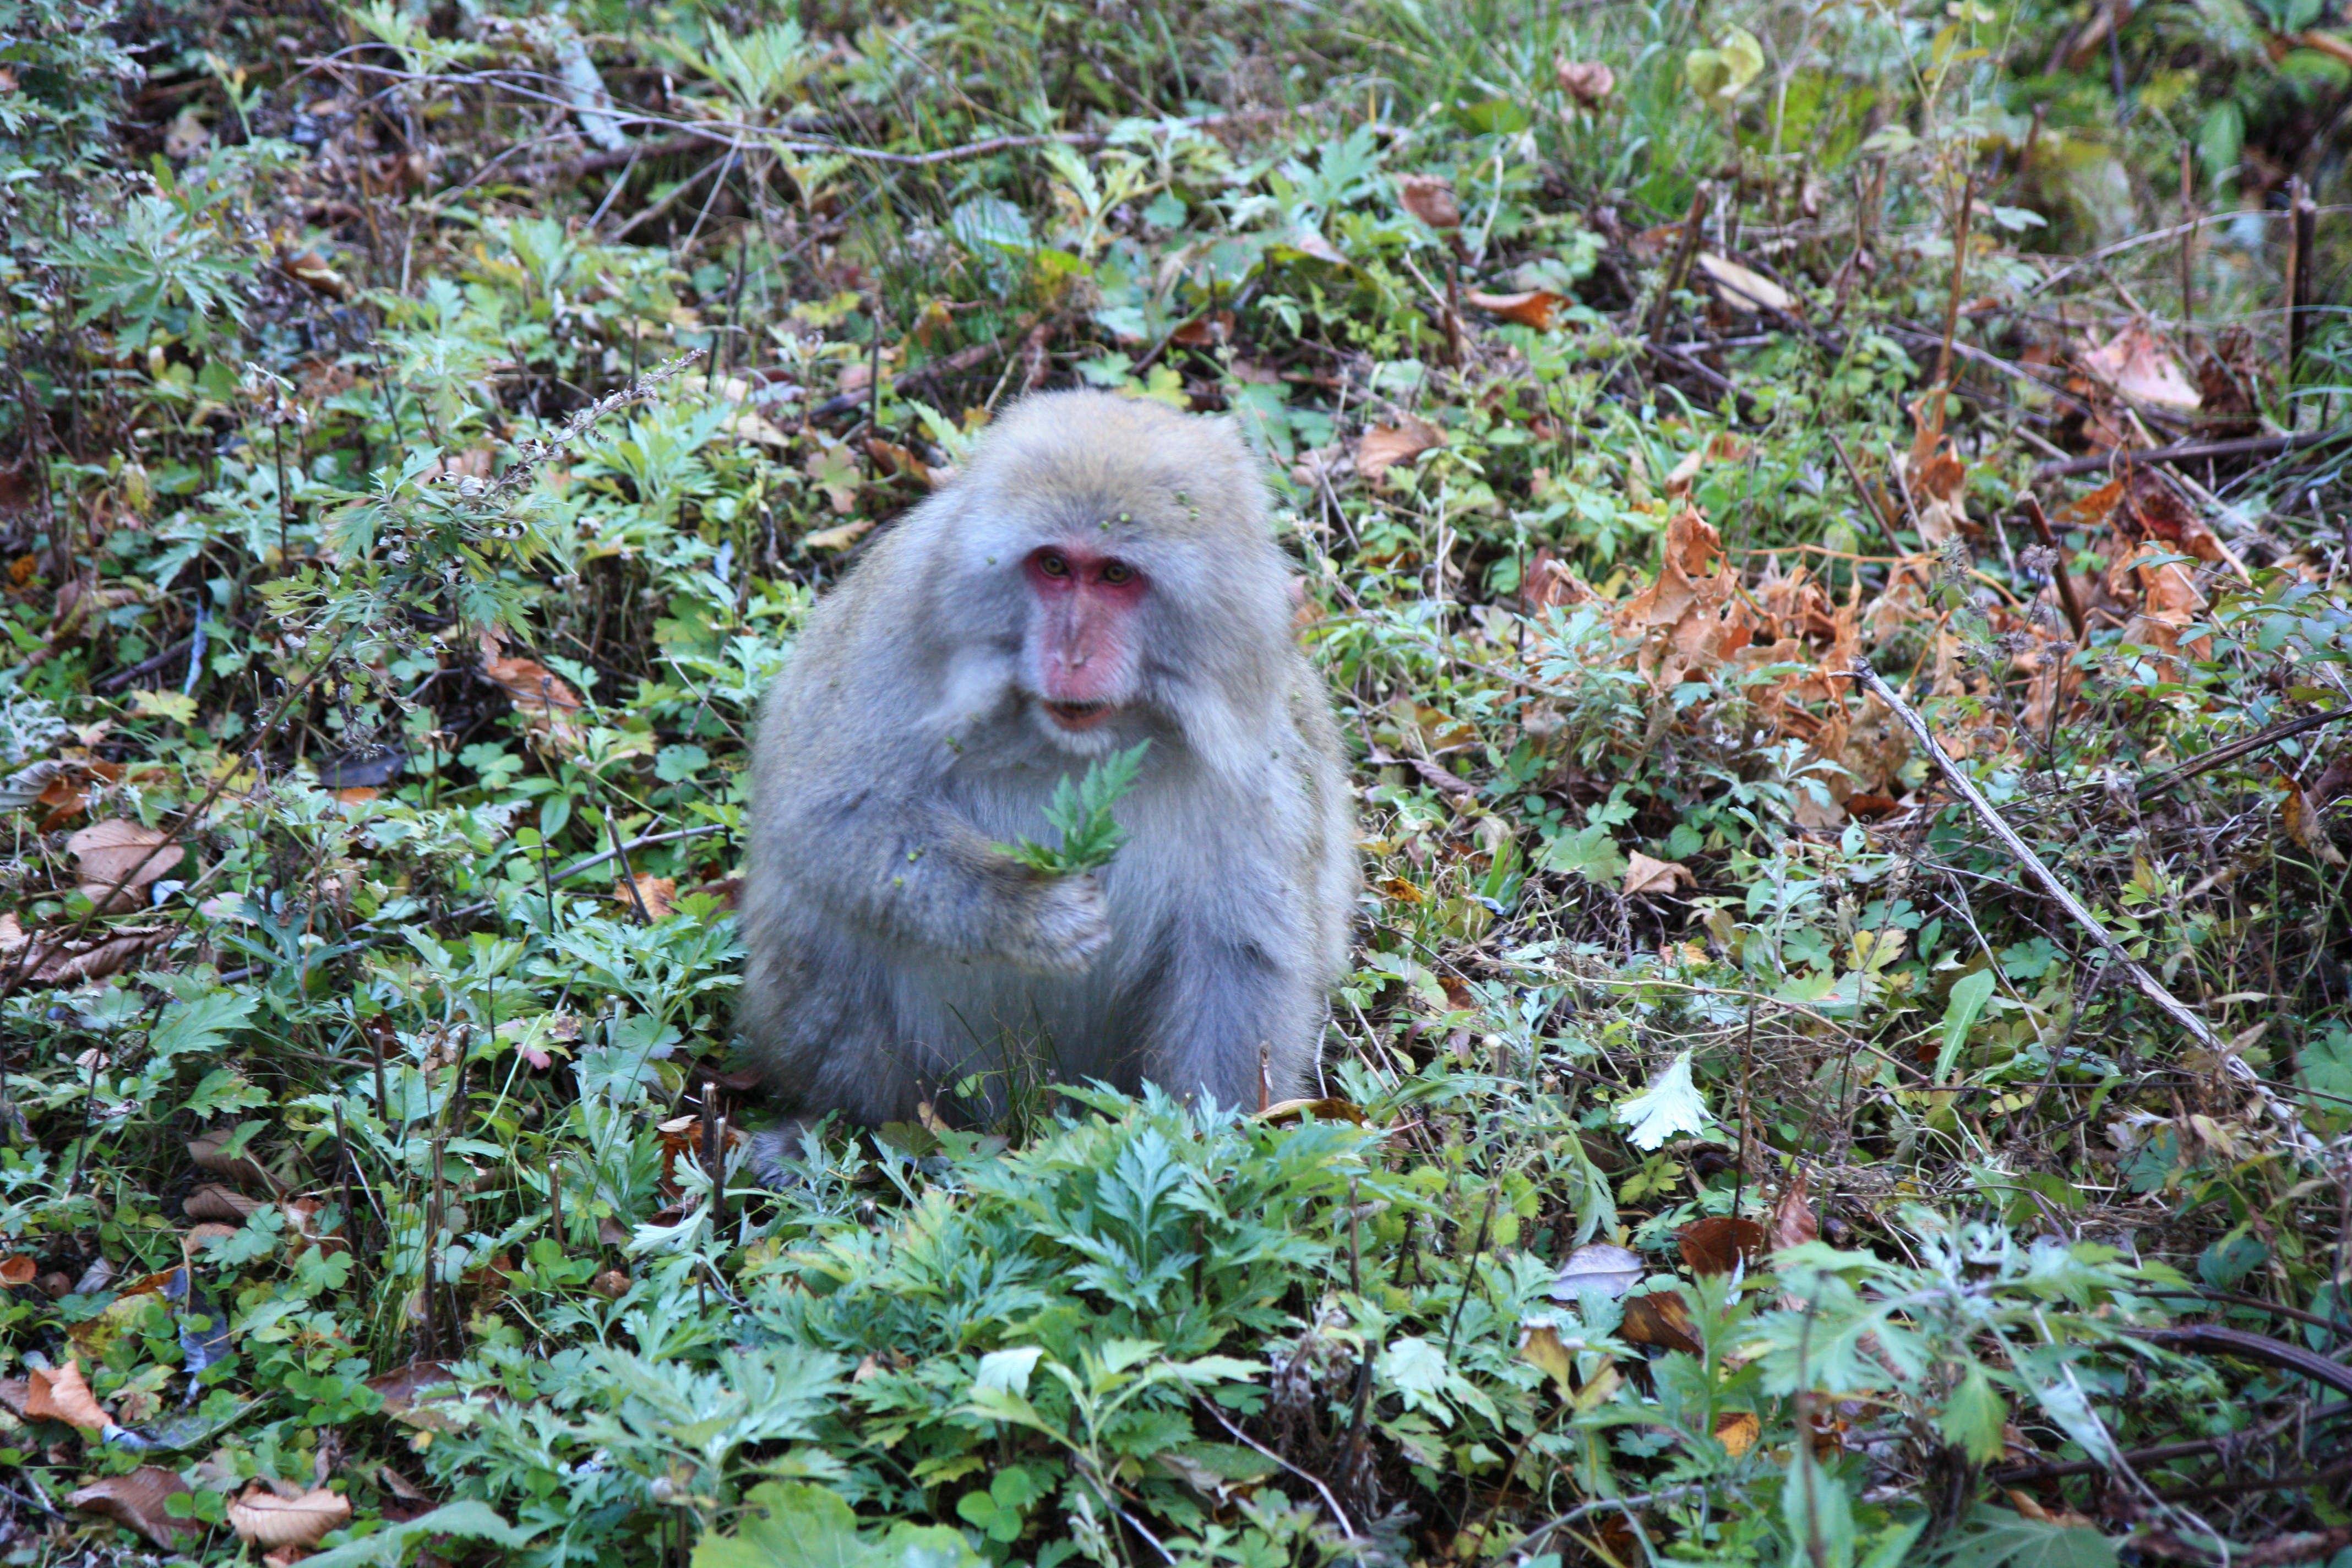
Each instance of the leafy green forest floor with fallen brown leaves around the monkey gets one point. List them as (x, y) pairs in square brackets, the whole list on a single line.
[(1829, 530)]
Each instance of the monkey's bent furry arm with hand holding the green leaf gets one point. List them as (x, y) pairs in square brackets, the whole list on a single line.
[(918, 873)]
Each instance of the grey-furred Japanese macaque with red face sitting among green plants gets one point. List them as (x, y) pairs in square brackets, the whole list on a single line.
[(1100, 575)]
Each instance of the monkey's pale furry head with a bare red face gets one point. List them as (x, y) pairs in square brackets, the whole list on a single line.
[(1121, 554)]
